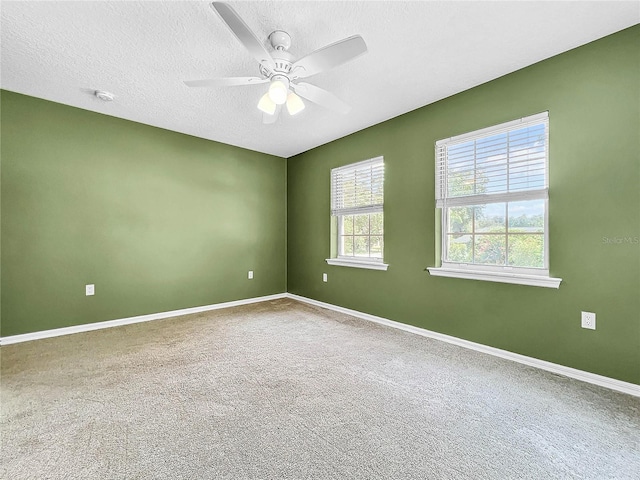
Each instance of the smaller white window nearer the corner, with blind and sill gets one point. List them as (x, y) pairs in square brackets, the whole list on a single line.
[(357, 199)]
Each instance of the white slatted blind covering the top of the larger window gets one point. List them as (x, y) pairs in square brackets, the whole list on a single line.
[(507, 162)]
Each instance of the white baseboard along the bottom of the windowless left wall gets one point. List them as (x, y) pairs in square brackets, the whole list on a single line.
[(56, 332)]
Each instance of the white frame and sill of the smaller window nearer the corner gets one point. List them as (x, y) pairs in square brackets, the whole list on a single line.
[(337, 215)]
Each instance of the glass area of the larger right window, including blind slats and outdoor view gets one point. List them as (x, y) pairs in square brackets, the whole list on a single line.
[(494, 227)]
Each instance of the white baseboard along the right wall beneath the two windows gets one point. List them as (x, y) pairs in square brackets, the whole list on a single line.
[(611, 383)]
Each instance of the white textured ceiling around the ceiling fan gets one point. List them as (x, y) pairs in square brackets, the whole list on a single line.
[(419, 52)]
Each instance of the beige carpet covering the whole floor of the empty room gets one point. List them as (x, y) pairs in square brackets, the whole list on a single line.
[(283, 390)]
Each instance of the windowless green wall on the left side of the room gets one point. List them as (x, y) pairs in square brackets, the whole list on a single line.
[(156, 220)]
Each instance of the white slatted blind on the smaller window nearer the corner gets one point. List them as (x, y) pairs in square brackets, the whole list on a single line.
[(358, 188)]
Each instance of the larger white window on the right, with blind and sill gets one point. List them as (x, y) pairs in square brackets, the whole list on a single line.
[(492, 189)]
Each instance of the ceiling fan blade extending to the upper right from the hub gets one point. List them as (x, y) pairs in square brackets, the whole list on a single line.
[(329, 57)]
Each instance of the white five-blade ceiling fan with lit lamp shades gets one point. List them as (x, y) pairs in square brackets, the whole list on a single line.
[(279, 69)]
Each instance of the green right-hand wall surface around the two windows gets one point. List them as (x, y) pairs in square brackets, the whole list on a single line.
[(593, 100)]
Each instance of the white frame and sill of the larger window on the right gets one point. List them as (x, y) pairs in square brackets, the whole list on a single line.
[(495, 273)]
